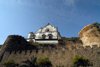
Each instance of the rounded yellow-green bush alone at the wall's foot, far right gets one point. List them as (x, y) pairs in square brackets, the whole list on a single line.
[(81, 61)]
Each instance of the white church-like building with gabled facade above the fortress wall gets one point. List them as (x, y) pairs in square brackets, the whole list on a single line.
[(47, 34)]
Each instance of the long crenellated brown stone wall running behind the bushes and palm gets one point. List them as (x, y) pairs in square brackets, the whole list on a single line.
[(58, 57)]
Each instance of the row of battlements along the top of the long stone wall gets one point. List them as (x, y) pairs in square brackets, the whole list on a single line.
[(43, 50)]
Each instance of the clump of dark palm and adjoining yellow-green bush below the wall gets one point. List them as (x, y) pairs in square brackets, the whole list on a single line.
[(42, 62)]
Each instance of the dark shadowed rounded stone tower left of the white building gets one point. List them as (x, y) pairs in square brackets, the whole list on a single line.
[(16, 43)]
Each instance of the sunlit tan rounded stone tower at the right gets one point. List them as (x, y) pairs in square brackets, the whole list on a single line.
[(90, 35)]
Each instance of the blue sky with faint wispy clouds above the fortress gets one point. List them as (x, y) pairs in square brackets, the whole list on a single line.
[(19, 17)]
